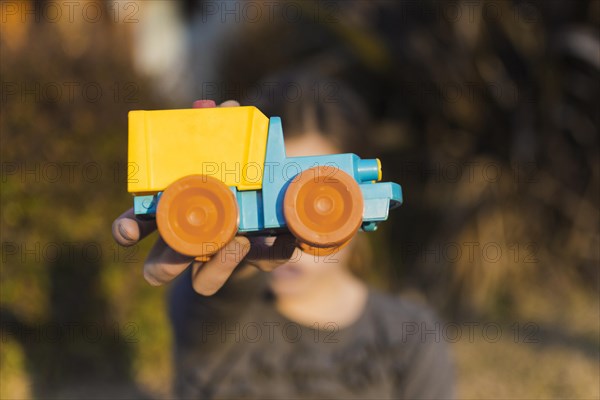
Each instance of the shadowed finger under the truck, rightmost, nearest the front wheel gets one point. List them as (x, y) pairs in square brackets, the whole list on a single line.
[(267, 254)]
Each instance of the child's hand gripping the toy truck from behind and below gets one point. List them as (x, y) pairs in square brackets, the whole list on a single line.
[(164, 264)]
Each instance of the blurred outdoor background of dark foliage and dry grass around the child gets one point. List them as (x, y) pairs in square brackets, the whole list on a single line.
[(486, 112)]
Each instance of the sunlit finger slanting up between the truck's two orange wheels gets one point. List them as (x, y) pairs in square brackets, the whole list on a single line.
[(209, 277)]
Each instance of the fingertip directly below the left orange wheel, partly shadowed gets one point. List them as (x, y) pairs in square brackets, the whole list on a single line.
[(164, 264)]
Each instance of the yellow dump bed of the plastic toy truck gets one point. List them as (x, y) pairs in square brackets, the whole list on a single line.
[(226, 143)]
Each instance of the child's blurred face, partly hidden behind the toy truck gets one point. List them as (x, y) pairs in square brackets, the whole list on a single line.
[(304, 271)]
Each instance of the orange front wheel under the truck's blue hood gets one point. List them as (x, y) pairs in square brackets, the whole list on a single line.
[(323, 209)]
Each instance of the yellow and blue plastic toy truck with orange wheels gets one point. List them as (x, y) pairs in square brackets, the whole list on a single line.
[(209, 173)]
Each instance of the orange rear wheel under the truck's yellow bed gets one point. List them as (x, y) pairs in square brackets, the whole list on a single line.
[(197, 215)]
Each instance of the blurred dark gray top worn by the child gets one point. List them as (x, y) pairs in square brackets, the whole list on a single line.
[(236, 345)]
